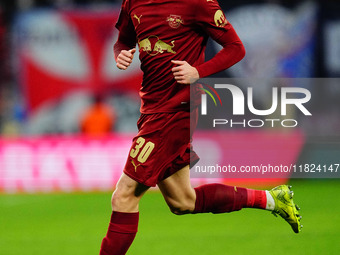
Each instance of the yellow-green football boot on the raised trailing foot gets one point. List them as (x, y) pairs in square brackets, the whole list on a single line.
[(285, 207)]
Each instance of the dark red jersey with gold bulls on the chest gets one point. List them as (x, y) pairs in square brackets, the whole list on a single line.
[(168, 30)]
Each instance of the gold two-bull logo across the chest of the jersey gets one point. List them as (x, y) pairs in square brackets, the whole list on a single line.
[(159, 46)]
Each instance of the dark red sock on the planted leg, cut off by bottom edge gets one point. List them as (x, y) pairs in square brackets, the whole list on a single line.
[(122, 230)]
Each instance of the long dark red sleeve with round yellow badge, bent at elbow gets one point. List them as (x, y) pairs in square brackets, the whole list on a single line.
[(211, 19)]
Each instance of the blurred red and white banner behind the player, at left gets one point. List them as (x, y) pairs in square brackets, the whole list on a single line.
[(64, 51)]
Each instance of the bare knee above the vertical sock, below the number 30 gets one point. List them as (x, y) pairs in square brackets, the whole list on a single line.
[(127, 195)]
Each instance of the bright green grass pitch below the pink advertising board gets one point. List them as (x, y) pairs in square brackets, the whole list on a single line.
[(74, 224)]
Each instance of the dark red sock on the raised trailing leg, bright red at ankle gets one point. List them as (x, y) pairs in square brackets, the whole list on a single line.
[(219, 198)]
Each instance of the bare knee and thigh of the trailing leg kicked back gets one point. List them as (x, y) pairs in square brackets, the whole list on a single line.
[(178, 192)]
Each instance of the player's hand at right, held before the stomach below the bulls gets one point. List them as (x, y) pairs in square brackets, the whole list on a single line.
[(184, 73)]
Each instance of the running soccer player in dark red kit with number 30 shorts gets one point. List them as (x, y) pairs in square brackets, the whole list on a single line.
[(172, 37)]
